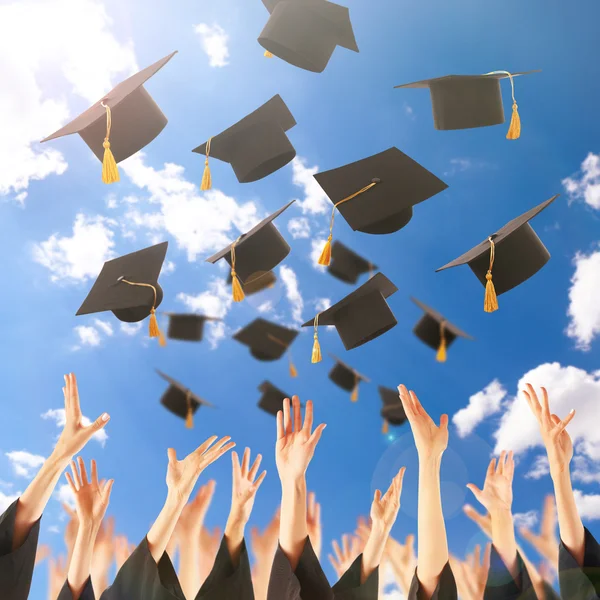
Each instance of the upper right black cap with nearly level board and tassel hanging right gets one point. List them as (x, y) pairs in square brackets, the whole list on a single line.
[(468, 101)]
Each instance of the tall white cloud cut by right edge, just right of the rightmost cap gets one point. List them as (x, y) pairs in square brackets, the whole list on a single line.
[(584, 300)]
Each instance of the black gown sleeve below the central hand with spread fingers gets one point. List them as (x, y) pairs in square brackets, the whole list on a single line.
[(307, 582)]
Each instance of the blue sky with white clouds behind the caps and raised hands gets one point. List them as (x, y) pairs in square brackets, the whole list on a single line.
[(59, 224)]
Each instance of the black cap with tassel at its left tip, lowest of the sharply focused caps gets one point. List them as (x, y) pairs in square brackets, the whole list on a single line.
[(360, 317)]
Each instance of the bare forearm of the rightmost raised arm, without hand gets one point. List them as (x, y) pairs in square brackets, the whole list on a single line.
[(572, 533)]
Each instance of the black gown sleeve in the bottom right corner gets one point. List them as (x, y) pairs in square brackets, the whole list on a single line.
[(580, 583)]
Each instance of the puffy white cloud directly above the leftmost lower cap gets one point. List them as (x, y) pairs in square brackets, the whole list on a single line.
[(80, 256)]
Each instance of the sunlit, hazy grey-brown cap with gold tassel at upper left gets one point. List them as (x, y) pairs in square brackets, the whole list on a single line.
[(126, 120)]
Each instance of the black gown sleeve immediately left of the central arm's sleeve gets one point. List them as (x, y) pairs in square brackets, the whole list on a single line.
[(225, 581)]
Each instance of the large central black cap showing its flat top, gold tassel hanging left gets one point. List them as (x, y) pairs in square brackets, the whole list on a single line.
[(376, 194)]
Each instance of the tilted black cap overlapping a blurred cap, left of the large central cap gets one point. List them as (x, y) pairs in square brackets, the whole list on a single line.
[(254, 253)]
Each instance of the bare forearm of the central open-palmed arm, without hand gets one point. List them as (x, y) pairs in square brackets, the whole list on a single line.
[(293, 529)]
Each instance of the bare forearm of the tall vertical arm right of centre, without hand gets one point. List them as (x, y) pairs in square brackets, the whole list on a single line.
[(433, 545)]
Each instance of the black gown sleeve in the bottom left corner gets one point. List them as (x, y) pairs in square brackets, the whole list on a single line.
[(16, 568)]
